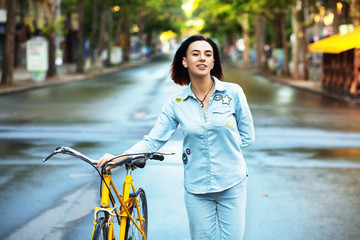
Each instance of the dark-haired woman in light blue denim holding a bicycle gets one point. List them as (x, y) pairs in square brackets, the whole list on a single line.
[(217, 124)]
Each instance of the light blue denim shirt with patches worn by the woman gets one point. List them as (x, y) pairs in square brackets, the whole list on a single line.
[(212, 147)]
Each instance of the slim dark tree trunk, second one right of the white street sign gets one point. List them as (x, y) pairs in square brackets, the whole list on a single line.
[(80, 60)]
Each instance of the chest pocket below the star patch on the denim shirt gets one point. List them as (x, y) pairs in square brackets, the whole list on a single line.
[(224, 117)]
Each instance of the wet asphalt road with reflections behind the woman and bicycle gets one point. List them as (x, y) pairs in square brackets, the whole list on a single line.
[(304, 167)]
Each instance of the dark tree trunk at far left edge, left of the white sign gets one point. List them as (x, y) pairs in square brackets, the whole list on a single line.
[(8, 57)]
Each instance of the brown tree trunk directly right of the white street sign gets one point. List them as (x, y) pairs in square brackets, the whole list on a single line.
[(52, 40)]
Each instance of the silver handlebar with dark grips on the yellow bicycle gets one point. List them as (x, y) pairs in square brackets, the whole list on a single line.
[(137, 159)]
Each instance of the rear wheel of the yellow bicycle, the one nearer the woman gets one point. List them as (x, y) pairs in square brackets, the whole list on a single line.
[(132, 233)]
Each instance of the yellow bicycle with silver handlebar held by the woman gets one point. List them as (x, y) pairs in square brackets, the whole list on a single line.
[(132, 213)]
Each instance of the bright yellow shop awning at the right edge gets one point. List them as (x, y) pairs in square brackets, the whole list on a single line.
[(337, 43)]
